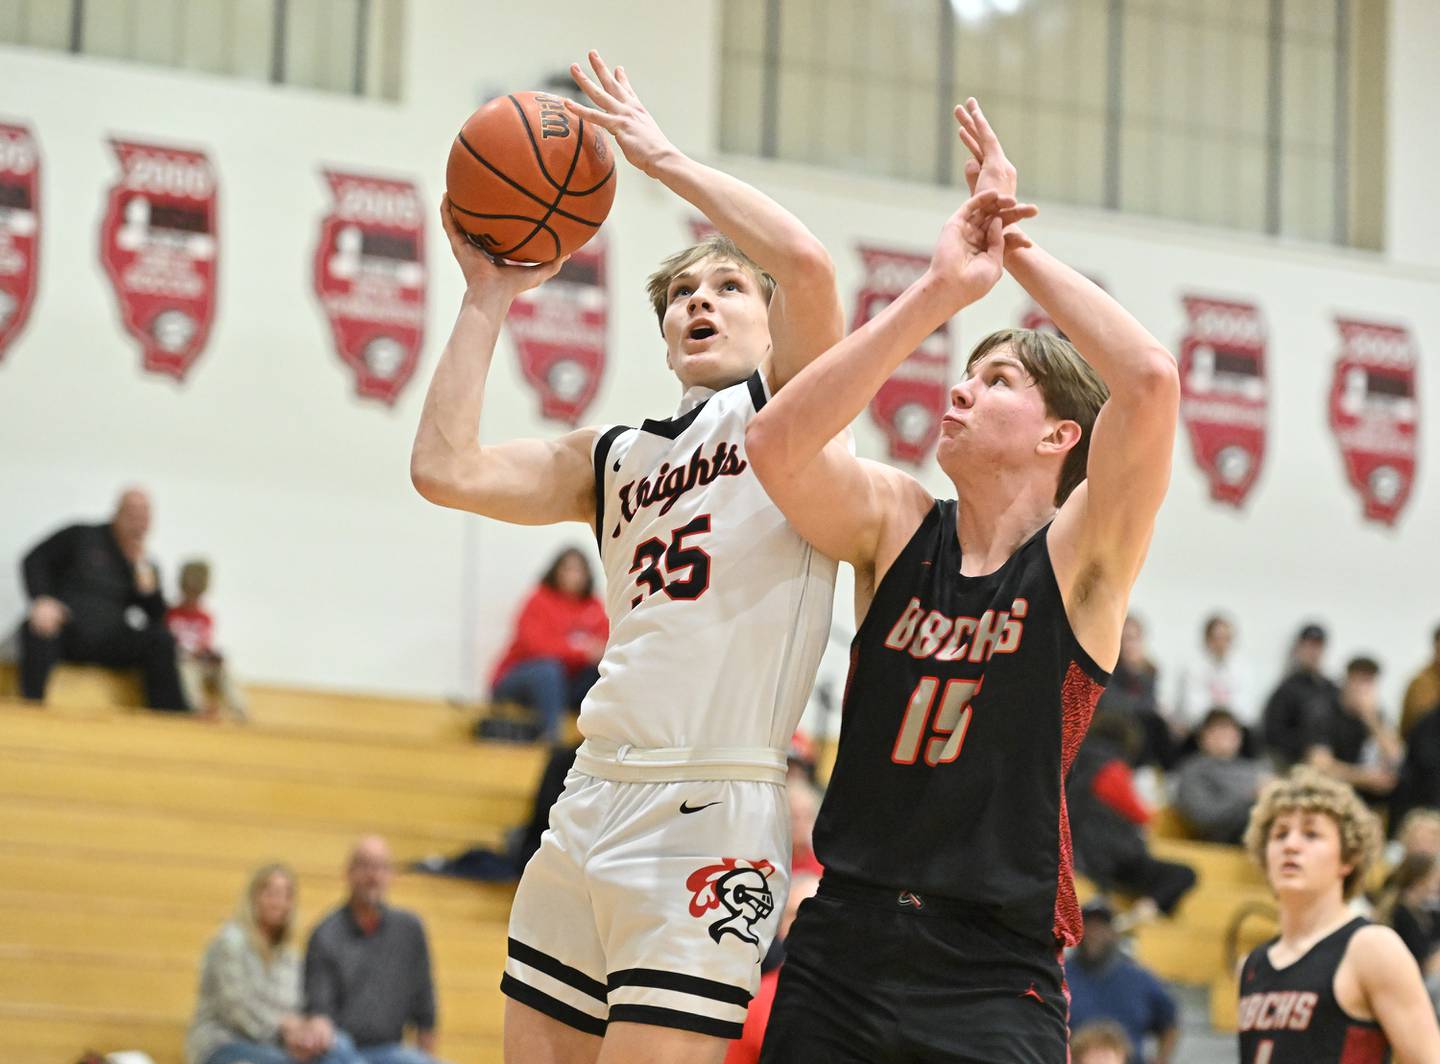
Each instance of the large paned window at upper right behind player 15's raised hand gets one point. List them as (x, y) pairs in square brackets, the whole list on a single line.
[(1285, 161)]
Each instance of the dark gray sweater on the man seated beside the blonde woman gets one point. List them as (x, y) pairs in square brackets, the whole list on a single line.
[(371, 986)]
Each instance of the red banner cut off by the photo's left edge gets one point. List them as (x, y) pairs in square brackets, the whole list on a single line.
[(19, 228)]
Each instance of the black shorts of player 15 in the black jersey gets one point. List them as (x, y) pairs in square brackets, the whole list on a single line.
[(883, 977)]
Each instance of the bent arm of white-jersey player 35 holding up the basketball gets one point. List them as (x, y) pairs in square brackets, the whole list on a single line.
[(526, 482)]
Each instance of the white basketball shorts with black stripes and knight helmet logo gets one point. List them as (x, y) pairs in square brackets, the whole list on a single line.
[(652, 903)]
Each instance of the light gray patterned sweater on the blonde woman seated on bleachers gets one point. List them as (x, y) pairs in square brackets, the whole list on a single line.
[(243, 1000)]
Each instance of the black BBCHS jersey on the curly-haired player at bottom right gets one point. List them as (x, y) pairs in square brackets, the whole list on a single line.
[(1291, 1016)]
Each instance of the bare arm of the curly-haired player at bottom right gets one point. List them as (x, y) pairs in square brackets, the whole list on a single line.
[(1396, 994)]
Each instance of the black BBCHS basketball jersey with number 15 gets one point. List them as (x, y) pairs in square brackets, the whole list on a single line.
[(967, 702)]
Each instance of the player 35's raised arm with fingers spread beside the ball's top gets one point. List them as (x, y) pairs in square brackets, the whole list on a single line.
[(806, 312)]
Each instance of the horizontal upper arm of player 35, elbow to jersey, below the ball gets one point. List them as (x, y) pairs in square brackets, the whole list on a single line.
[(525, 482)]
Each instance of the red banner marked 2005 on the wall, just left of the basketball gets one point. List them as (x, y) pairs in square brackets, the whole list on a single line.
[(371, 280)]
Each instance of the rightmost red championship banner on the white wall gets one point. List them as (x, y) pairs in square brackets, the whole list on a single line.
[(1376, 414)]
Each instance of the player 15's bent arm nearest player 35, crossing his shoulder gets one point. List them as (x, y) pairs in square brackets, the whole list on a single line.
[(830, 497)]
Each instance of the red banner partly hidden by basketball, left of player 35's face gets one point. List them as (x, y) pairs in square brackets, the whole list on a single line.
[(559, 332)]
